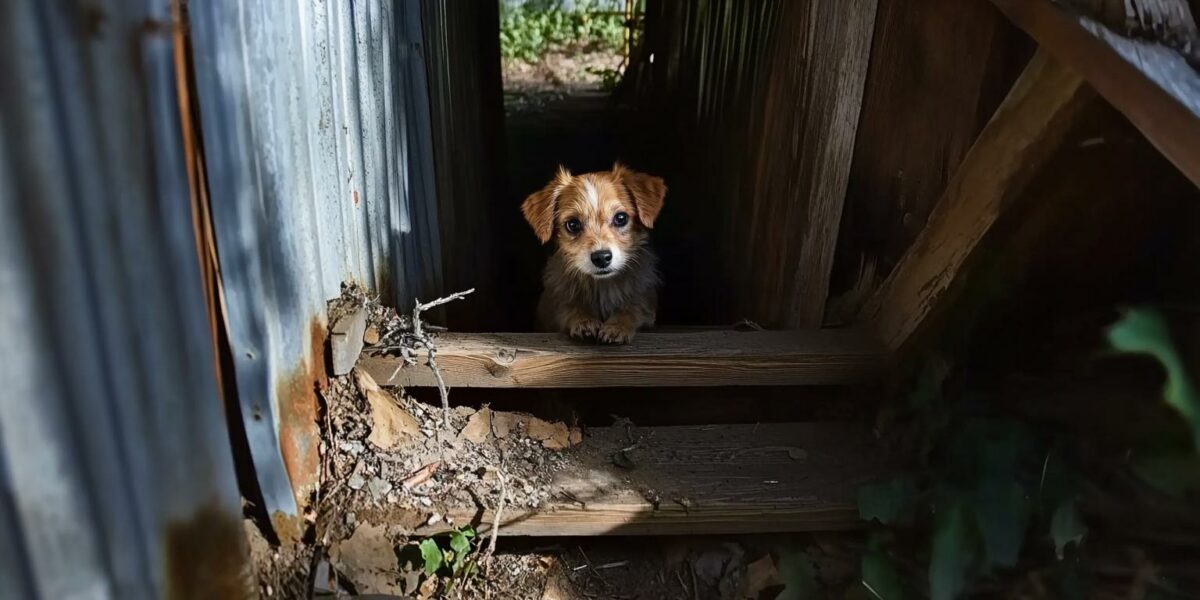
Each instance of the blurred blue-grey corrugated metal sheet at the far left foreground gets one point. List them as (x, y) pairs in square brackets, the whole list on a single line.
[(116, 473)]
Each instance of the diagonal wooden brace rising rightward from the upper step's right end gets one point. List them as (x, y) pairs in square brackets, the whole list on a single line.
[(1013, 147)]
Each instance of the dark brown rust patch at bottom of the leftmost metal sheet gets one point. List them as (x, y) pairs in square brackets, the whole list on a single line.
[(207, 557)]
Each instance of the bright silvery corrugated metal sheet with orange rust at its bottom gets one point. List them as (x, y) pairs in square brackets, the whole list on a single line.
[(316, 133)]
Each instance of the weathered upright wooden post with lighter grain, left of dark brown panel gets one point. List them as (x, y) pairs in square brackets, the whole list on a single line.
[(819, 147)]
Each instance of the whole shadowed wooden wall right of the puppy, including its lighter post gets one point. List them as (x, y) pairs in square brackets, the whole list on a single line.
[(751, 113)]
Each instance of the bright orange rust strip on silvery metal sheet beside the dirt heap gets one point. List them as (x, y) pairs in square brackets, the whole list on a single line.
[(299, 436)]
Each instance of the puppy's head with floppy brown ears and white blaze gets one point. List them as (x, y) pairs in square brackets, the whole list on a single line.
[(598, 220)]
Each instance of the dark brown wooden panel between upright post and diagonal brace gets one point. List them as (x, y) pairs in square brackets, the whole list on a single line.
[(938, 73)]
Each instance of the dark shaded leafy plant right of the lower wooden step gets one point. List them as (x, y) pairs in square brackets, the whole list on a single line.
[(987, 489)]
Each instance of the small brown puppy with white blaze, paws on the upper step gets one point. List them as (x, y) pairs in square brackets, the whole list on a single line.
[(602, 283)]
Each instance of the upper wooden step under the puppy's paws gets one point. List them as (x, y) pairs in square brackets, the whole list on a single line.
[(653, 359)]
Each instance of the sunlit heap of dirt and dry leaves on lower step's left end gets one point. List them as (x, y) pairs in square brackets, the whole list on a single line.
[(395, 457)]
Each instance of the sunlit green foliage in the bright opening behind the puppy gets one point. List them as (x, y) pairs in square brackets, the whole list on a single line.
[(536, 28)]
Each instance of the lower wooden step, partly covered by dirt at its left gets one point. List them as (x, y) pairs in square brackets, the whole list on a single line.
[(704, 481)]
